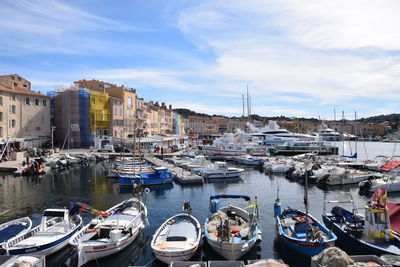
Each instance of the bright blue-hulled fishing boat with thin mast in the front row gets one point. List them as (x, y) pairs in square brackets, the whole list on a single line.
[(299, 230)]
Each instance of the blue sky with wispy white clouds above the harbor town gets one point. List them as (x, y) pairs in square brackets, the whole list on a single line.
[(297, 58)]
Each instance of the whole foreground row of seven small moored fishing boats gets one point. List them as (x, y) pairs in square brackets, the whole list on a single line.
[(231, 230)]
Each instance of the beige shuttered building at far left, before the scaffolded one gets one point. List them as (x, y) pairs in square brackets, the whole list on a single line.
[(24, 114)]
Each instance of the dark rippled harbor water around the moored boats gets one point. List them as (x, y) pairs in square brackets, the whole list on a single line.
[(29, 196)]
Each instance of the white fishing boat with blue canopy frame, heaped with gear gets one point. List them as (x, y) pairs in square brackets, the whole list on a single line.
[(232, 231)]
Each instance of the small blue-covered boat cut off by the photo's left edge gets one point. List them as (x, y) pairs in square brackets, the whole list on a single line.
[(14, 228)]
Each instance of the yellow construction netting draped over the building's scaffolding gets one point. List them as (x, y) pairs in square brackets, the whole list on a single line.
[(100, 115)]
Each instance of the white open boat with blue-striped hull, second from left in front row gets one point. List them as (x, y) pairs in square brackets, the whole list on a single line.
[(56, 228)]
